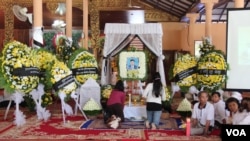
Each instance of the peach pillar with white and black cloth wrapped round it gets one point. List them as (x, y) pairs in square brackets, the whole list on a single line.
[(38, 24)]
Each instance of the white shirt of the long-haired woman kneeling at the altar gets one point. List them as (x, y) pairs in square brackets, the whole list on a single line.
[(147, 93)]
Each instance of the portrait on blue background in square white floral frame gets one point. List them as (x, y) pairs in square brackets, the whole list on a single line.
[(132, 65)]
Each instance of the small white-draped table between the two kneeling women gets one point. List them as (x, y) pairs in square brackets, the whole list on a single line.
[(135, 112)]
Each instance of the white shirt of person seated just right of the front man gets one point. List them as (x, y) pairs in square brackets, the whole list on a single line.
[(220, 112)]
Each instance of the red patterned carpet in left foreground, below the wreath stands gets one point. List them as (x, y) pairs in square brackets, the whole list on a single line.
[(56, 129)]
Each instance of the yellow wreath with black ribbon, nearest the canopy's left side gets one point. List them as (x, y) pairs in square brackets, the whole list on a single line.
[(84, 66)]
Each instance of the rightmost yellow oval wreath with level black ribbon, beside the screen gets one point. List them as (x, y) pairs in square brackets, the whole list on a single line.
[(212, 70)]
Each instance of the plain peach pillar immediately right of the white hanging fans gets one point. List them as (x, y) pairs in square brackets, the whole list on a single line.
[(69, 19)]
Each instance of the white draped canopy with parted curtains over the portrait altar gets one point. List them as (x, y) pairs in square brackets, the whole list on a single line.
[(119, 35)]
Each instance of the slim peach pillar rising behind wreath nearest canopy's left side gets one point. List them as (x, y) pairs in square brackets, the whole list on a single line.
[(85, 23)]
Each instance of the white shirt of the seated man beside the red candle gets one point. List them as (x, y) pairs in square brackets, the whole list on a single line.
[(204, 114)]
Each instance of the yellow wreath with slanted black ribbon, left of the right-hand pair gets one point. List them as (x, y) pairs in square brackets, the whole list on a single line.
[(184, 71)]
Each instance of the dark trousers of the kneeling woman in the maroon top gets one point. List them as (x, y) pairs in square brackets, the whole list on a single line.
[(115, 109)]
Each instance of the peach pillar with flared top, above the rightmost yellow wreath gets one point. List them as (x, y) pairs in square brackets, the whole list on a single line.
[(209, 4)]
